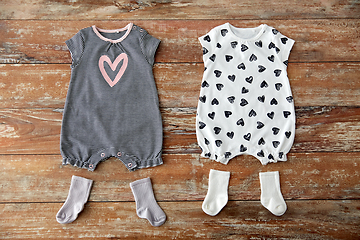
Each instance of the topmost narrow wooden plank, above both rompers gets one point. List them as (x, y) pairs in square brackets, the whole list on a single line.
[(159, 9)]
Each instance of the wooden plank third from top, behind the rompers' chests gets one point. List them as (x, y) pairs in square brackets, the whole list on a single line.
[(313, 84)]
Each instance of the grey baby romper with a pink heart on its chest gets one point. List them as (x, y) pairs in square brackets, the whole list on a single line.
[(112, 106)]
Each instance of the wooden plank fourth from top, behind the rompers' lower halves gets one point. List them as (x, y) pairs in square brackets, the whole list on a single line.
[(37, 131)]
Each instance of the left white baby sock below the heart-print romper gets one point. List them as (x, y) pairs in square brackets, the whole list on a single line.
[(217, 195)]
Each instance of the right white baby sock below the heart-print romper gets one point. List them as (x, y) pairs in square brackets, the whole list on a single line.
[(271, 197)]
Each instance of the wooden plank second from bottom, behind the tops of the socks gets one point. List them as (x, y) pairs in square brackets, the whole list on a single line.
[(182, 177)]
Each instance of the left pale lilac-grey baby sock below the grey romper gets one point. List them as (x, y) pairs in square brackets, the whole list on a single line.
[(77, 197)]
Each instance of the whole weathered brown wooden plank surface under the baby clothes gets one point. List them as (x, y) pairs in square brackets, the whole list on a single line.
[(320, 181)]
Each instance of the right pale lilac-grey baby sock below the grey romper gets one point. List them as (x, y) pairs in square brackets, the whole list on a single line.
[(146, 205)]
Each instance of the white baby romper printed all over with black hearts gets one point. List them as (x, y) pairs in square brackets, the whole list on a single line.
[(245, 104)]
